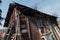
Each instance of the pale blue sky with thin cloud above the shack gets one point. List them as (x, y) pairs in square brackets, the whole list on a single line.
[(51, 7)]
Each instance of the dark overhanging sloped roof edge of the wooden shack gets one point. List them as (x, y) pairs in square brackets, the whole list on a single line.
[(21, 8)]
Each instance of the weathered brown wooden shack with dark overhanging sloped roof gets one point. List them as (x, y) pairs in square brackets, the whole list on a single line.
[(25, 23)]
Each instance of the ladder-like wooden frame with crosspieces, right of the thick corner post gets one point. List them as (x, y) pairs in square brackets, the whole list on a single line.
[(25, 31)]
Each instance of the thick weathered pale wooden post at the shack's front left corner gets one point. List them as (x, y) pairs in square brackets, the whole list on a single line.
[(17, 23)]
